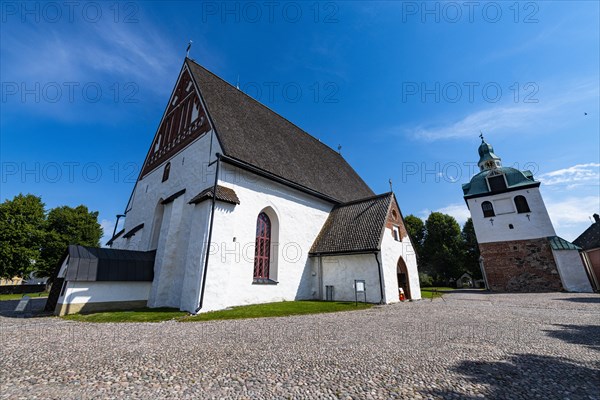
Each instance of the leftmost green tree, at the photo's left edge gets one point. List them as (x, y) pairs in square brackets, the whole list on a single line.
[(21, 235)]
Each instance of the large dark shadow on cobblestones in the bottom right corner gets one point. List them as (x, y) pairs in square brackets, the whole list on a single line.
[(528, 376)]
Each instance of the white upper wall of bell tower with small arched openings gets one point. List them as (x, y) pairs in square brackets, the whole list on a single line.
[(538, 224)]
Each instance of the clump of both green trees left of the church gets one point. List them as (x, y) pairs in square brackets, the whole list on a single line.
[(31, 240)]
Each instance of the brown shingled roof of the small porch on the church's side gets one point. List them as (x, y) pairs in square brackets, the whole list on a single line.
[(354, 227)]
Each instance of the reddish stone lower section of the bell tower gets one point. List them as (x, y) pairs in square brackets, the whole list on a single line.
[(520, 266)]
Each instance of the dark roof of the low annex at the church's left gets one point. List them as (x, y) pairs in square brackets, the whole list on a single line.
[(101, 264)]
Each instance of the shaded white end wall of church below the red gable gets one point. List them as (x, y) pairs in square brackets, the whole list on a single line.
[(183, 227)]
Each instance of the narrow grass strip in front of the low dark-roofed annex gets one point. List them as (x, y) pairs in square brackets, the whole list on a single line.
[(141, 315)]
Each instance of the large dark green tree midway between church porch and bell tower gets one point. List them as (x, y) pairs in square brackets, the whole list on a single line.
[(442, 247)]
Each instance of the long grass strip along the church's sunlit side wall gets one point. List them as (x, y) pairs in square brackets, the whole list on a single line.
[(280, 309)]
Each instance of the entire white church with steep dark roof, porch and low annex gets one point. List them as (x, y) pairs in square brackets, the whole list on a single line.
[(236, 205)]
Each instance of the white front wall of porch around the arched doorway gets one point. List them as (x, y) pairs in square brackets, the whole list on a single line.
[(391, 251)]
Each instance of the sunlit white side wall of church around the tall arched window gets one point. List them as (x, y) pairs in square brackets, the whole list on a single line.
[(299, 217)]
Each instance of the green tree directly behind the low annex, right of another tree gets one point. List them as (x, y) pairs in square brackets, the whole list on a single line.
[(64, 226)]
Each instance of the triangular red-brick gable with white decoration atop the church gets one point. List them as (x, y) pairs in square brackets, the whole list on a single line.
[(184, 121)]
